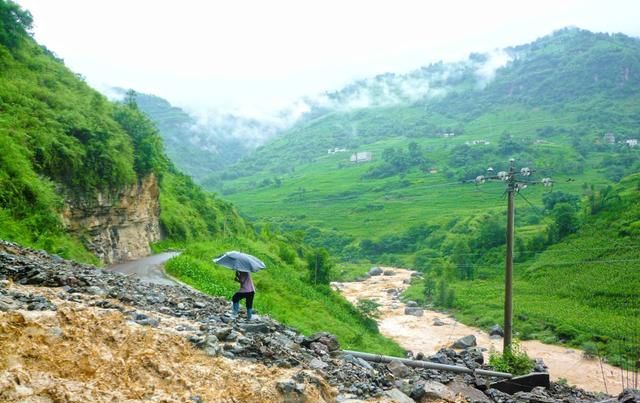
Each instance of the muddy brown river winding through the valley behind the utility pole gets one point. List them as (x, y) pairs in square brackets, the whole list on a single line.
[(418, 334)]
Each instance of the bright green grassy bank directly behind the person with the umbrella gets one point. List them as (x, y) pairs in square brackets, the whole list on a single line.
[(283, 292)]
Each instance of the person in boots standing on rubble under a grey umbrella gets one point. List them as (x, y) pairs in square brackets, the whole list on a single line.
[(243, 264)]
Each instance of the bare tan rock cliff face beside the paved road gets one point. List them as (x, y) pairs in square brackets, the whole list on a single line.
[(117, 227)]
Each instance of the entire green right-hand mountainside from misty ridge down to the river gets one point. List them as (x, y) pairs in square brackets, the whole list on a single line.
[(564, 105)]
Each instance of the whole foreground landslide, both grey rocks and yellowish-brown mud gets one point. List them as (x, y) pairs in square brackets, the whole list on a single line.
[(72, 332)]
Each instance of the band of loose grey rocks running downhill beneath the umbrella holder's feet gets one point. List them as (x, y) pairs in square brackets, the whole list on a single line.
[(207, 323)]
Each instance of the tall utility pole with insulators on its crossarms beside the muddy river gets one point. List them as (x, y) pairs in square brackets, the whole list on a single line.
[(514, 185)]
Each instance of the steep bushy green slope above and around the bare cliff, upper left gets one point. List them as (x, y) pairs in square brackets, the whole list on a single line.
[(64, 144)]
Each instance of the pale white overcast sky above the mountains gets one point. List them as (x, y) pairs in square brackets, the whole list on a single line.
[(259, 56)]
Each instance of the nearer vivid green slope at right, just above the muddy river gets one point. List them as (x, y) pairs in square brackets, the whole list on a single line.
[(582, 291)]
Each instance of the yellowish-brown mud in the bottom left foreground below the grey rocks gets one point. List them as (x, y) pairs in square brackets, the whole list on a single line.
[(81, 354)]
